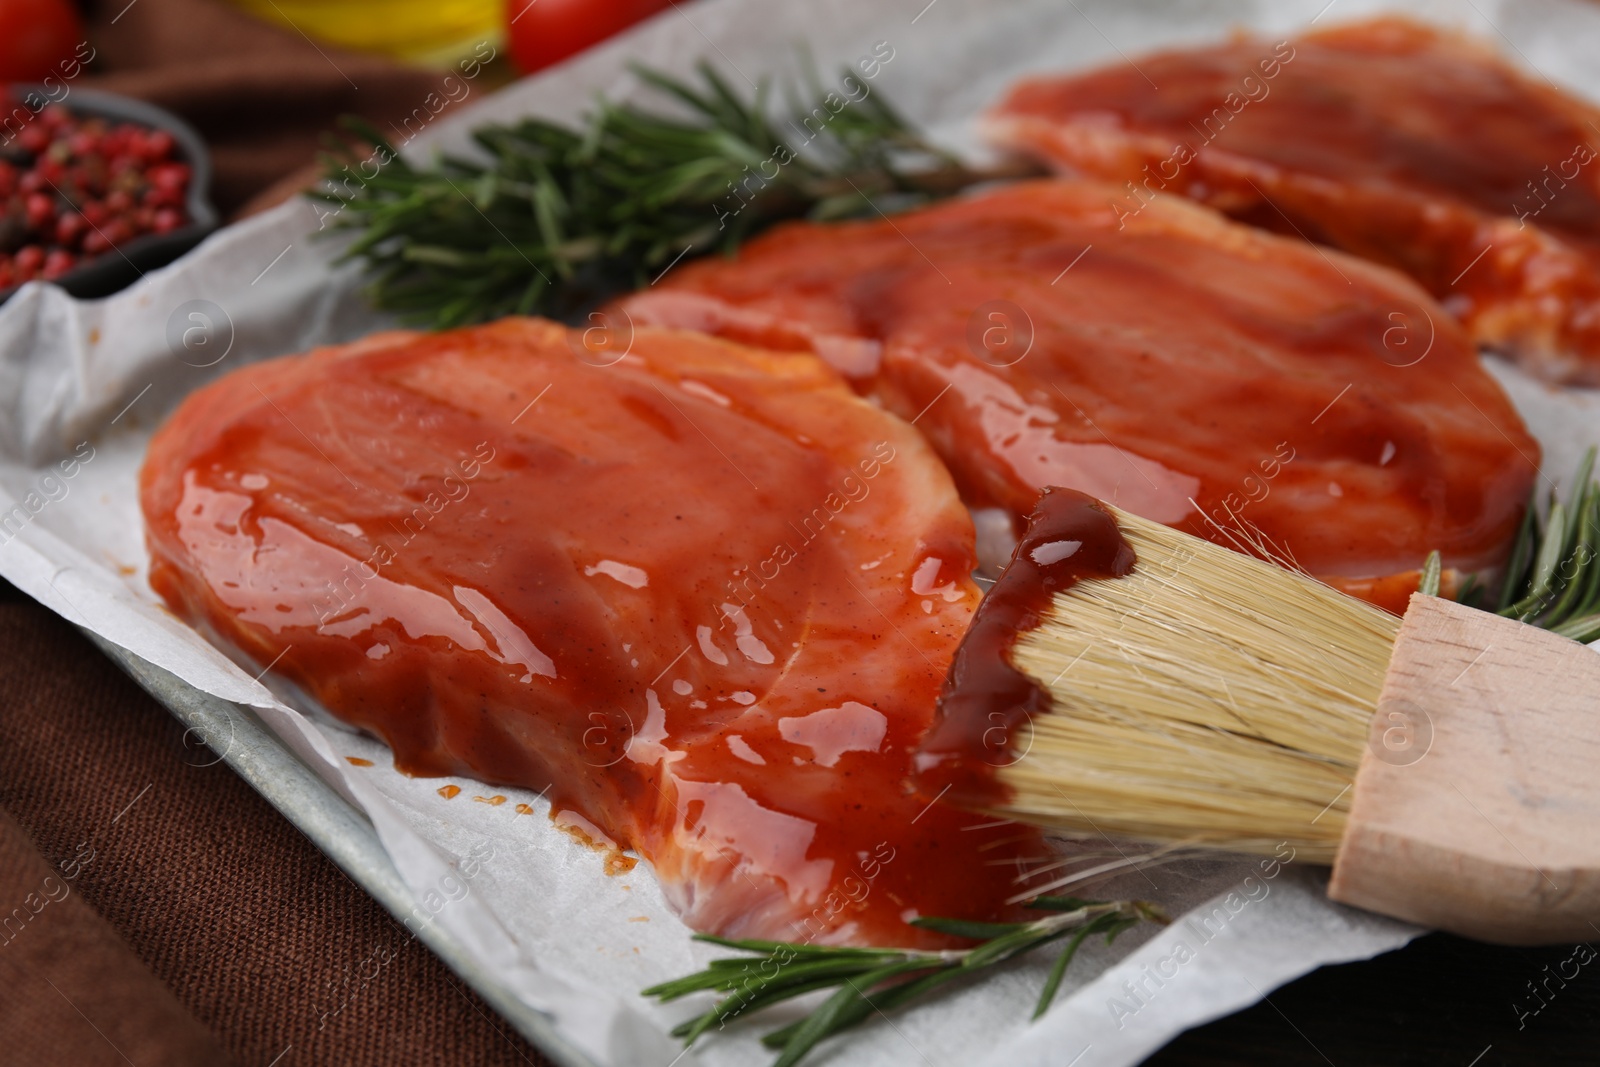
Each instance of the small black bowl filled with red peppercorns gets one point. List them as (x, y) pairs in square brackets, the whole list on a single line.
[(97, 191)]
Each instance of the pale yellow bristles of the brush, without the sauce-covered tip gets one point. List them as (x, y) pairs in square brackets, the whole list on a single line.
[(1204, 700)]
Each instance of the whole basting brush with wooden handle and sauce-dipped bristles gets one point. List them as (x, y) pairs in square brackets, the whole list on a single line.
[(1130, 681)]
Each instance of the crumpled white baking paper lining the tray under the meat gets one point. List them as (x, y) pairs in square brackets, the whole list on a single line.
[(95, 378)]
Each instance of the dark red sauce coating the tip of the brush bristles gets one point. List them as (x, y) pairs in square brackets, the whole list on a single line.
[(986, 700)]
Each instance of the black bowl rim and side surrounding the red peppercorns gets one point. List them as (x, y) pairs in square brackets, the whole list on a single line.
[(110, 271)]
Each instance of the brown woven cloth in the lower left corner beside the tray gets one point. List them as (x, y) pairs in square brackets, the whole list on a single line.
[(170, 916)]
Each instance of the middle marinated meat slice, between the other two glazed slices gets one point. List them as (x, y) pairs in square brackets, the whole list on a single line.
[(1241, 386)]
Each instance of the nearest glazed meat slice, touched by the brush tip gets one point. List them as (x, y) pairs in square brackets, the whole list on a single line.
[(705, 594)]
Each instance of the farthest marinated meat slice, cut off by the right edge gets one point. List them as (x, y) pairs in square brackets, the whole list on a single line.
[(1402, 143)]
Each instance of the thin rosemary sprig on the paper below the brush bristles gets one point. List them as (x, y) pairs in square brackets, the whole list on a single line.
[(871, 981)]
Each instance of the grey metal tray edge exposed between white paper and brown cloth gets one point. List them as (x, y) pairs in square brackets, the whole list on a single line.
[(342, 831)]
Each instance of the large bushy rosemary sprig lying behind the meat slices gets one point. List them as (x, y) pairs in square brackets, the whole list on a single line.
[(559, 218)]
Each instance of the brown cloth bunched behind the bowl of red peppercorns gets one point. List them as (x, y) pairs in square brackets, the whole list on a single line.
[(262, 97)]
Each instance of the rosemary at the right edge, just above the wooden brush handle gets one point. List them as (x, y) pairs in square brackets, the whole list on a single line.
[(1554, 575)]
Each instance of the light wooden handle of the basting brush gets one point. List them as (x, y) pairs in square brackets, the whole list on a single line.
[(1478, 804)]
